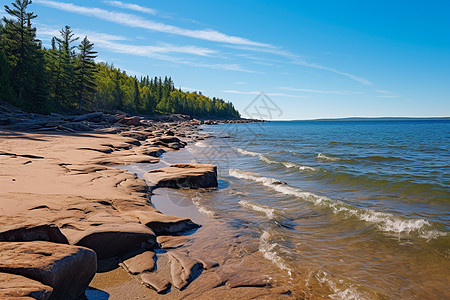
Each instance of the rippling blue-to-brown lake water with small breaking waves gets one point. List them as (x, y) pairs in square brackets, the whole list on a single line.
[(351, 210)]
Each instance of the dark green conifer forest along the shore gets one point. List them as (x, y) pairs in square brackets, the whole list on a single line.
[(65, 78)]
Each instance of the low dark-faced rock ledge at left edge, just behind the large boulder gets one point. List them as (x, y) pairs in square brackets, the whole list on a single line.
[(25, 232)]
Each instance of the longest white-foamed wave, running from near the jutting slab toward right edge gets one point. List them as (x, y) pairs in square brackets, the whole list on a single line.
[(384, 221)]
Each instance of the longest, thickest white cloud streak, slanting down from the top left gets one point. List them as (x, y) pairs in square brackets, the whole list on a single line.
[(139, 22)]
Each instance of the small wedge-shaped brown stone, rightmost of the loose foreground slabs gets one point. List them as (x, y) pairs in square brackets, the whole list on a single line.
[(183, 269)]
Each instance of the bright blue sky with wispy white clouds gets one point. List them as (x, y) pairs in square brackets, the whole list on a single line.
[(311, 59)]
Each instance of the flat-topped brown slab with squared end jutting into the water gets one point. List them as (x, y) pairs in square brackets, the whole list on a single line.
[(184, 176)]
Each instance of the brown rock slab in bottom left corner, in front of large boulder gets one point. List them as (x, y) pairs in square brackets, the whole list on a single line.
[(16, 286)]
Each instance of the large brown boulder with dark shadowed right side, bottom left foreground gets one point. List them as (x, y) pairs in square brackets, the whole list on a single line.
[(67, 269)]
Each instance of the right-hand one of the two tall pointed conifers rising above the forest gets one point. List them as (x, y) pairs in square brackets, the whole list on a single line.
[(85, 72)]
